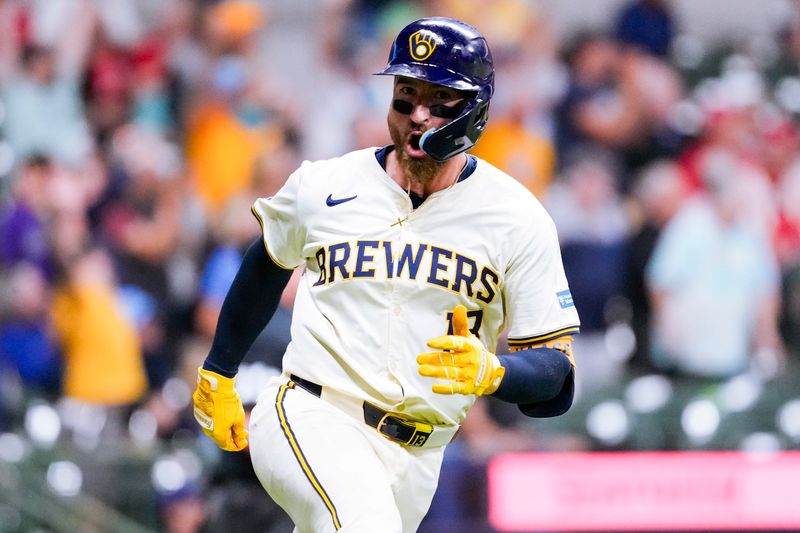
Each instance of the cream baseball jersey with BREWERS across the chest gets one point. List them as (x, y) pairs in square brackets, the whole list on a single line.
[(382, 278)]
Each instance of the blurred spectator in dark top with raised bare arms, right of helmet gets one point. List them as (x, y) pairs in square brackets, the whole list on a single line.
[(619, 99)]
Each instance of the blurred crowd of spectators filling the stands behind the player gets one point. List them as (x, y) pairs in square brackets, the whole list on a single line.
[(135, 135)]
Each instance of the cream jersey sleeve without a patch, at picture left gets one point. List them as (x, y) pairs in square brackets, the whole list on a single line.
[(281, 223)]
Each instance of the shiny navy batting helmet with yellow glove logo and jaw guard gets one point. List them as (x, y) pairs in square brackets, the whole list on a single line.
[(452, 53)]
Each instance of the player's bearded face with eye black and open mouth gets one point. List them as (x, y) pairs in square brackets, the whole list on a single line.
[(418, 106)]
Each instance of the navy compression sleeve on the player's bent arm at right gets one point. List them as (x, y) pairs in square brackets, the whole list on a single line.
[(536, 376)]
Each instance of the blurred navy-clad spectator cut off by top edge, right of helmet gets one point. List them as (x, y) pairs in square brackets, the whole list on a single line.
[(647, 24)]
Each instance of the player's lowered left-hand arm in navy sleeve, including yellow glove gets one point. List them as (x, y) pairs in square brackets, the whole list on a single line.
[(248, 306)]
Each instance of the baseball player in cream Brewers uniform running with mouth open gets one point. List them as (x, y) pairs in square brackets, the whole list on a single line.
[(416, 256)]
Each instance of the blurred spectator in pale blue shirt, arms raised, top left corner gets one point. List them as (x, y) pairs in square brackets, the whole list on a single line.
[(40, 84)]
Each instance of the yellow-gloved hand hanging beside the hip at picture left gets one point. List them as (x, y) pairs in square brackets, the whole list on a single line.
[(219, 411)]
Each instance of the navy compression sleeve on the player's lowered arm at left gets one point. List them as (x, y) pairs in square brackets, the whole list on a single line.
[(249, 305)]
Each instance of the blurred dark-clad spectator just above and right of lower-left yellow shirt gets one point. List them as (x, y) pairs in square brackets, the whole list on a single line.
[(141, 224)]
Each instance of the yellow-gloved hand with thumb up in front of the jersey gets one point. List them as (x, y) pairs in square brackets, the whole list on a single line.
[(462, 360)]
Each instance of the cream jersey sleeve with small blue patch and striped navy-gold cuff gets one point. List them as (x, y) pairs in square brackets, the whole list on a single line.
[(539, 303)]
